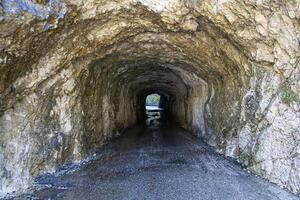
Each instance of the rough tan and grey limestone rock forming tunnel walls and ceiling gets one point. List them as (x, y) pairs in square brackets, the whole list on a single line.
[(74, 74)]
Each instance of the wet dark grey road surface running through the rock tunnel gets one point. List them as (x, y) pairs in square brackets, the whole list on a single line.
[(156, 162)]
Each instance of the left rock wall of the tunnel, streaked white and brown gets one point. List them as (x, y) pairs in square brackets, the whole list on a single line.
[(63, 121)]
